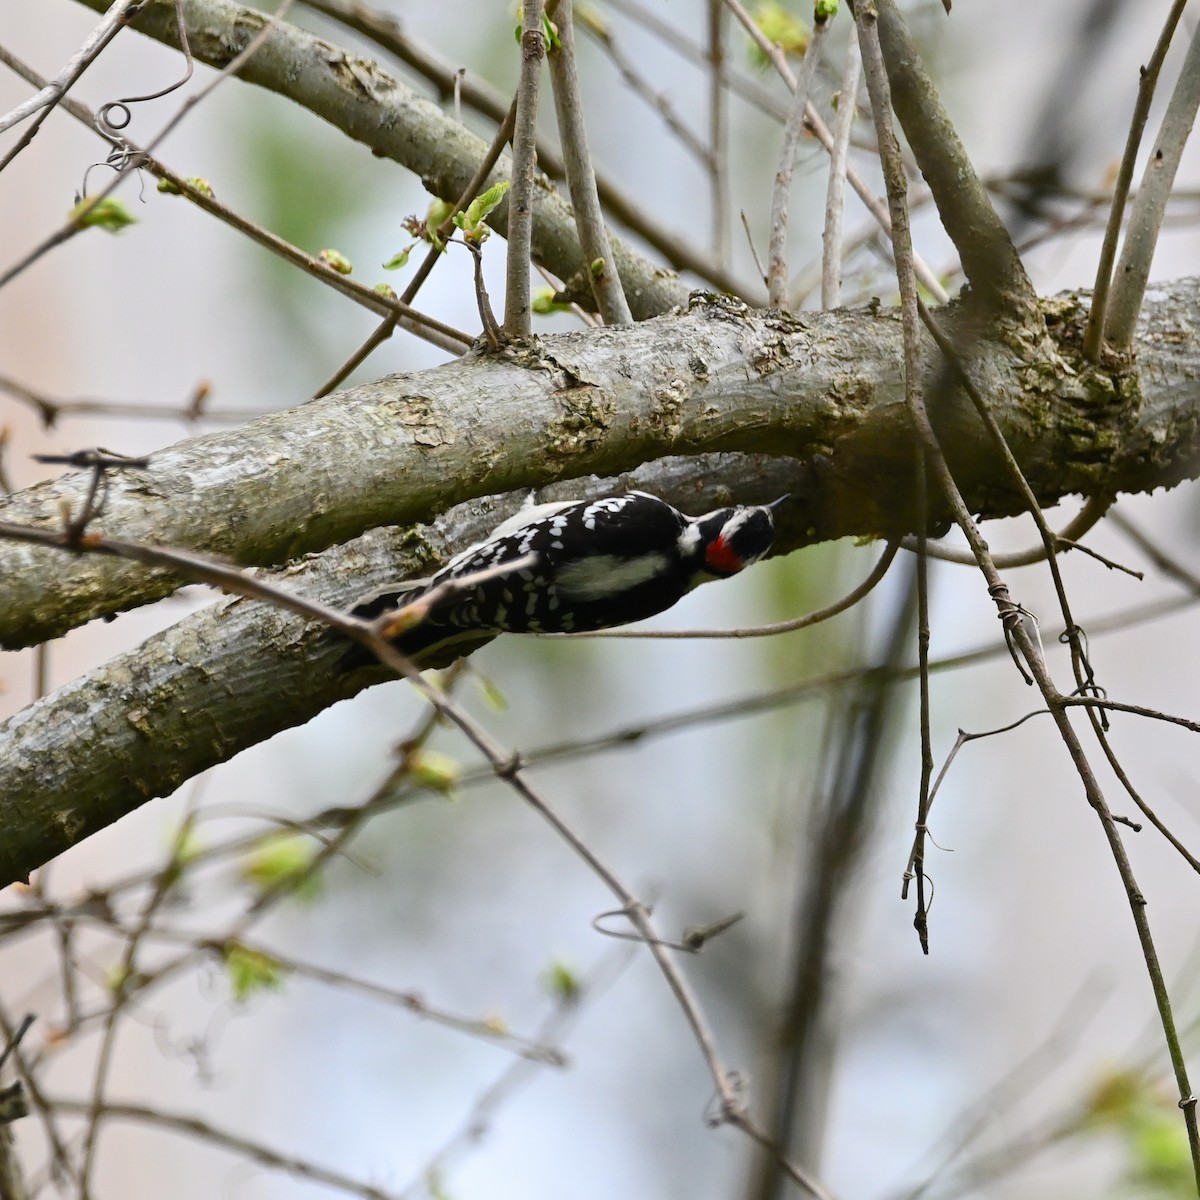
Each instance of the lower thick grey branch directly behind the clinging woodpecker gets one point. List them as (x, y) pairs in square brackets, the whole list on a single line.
[(237, 674)]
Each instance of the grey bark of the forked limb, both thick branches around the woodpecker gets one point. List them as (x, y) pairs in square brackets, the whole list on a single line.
[(813, 409)]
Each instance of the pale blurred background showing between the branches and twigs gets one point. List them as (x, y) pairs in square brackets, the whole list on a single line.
[(997, 1066)]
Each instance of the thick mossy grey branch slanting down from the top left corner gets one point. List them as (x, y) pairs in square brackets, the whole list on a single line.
[(361, 99)]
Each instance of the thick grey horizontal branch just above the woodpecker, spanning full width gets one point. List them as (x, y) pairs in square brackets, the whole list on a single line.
[(718, 379)]
